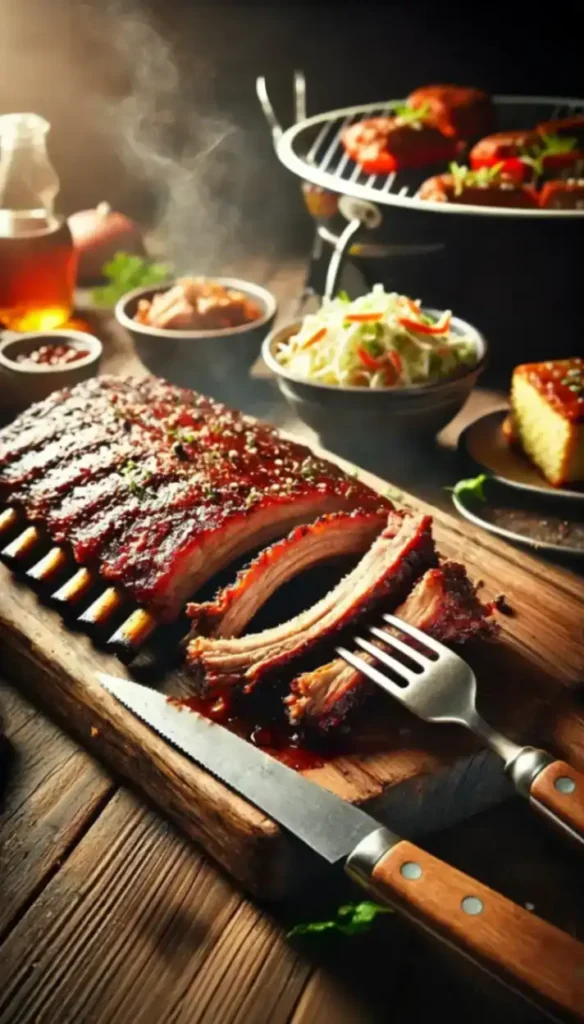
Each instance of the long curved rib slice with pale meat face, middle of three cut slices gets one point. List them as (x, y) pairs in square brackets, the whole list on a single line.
[(388, 572)]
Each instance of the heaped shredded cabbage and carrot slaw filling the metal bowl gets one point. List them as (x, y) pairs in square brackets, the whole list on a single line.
[(379, 340)]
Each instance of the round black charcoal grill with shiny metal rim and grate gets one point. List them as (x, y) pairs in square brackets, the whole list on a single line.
[(514, 273)]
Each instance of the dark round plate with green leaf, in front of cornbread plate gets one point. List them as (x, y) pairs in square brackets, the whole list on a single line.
[(529, 521)]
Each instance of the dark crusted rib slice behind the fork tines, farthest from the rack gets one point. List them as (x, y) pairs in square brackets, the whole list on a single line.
[(444, 604)]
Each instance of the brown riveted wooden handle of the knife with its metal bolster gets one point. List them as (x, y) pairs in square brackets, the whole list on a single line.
[(543, 963)]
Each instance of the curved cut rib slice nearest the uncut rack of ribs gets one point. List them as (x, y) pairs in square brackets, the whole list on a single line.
[(331, 536)]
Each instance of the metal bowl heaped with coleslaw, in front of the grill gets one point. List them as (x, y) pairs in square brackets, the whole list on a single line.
[(378, 363)]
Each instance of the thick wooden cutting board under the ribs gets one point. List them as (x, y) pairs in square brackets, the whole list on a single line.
[(412, 777)]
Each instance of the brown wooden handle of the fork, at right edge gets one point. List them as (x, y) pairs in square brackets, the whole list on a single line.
[(558, 792)]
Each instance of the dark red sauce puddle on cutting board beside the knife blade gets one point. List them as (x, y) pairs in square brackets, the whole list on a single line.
[(276, 741)]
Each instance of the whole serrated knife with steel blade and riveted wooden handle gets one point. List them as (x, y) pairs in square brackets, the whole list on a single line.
[(533, 958)]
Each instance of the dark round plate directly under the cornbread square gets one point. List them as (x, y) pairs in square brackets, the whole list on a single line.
[(484, 443)]
